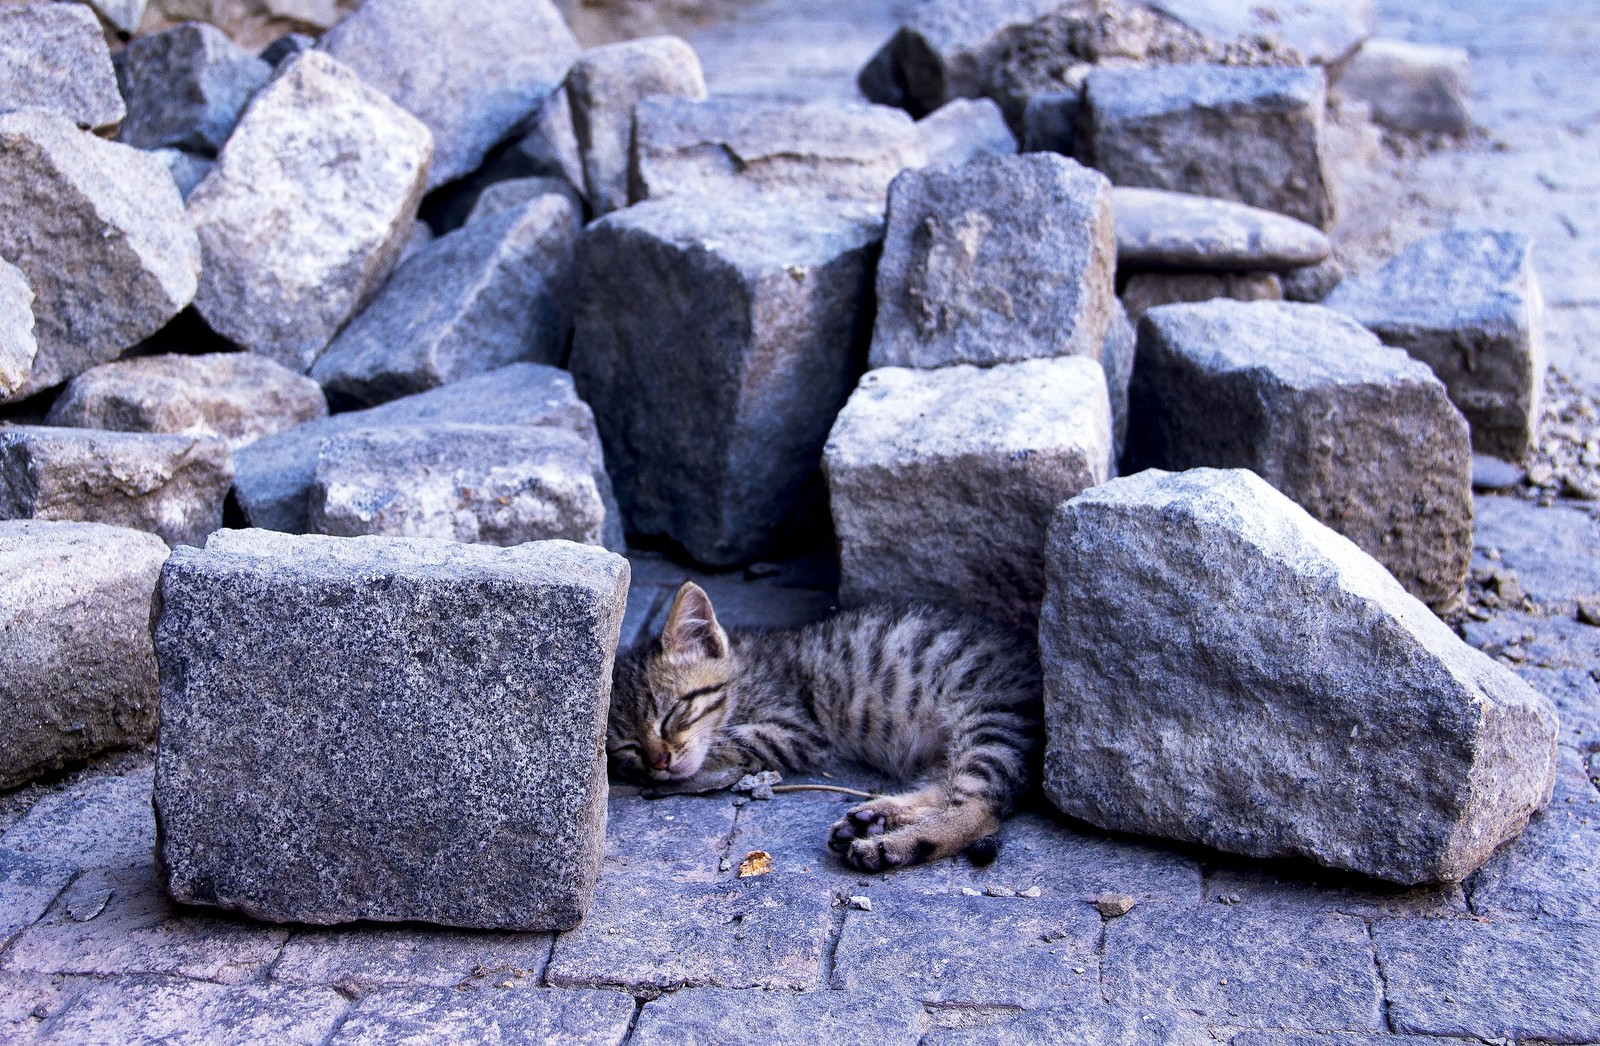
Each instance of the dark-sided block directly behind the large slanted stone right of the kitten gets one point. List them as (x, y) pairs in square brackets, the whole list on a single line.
[(1361, 436)]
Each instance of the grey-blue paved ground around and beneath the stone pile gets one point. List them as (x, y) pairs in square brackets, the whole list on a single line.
[(679, 949)]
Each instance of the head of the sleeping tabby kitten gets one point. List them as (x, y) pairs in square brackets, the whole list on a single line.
[(670, 700)]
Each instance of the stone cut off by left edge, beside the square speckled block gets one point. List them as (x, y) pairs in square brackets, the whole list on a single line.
[(79, 674)]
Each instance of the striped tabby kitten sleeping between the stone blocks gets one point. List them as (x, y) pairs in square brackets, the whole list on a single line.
[(914, 692)]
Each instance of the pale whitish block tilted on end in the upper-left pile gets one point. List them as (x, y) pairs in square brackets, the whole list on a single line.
[(308, 210)]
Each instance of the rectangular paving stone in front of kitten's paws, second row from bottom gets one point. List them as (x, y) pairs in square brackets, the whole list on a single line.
[(961, 951)]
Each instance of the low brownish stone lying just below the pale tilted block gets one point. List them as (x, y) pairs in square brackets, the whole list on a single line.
[(231, 396)]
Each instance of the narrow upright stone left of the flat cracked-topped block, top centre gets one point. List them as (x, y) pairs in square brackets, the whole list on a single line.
[(602, 90)]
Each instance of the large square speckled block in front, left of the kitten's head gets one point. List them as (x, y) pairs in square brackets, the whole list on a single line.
[(386, 730)]
